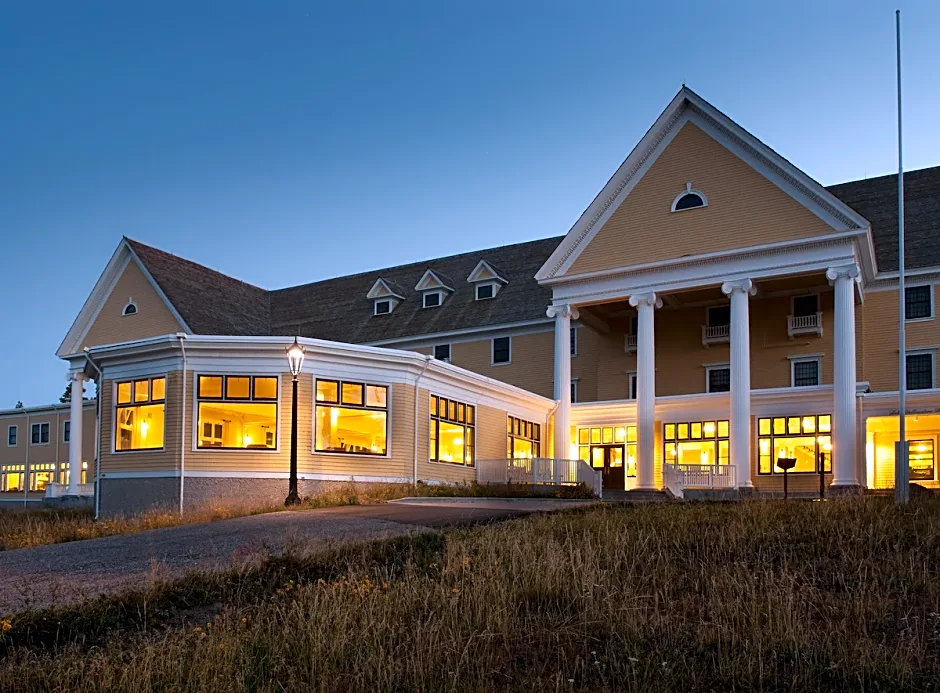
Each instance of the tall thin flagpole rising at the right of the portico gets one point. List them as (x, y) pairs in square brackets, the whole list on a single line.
[(901, 469)]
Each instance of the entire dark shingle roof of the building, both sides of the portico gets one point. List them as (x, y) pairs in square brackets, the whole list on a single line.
[(337, 309)]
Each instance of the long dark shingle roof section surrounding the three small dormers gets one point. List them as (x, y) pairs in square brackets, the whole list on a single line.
[(337, 308)]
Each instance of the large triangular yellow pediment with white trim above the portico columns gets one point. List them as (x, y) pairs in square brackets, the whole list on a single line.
[(642, 216)]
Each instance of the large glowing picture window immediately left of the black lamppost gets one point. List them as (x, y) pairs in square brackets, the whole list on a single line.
[(237, 412)]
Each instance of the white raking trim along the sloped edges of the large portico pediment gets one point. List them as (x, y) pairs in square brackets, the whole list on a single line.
[(688, 107)]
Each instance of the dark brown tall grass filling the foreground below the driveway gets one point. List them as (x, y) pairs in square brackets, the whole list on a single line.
[(751, 596)]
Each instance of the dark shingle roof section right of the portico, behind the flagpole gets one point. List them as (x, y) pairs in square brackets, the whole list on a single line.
[(876, 199)]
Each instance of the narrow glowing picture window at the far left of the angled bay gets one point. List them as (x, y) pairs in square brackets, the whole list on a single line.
[(139, 414)]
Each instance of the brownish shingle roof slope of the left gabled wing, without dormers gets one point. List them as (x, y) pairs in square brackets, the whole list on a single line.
[(210, 302)]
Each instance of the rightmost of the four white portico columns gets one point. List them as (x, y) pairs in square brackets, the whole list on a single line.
[(844, 471)]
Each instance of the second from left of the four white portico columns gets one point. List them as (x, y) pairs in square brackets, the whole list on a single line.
[(645, 388)]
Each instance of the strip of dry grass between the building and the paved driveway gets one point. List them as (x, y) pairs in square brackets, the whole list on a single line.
[(35, 527)]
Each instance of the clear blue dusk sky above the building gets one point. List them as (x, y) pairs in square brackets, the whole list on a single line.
[(285, 142)]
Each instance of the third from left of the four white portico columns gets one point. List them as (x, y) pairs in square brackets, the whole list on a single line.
[(740, 379)]
